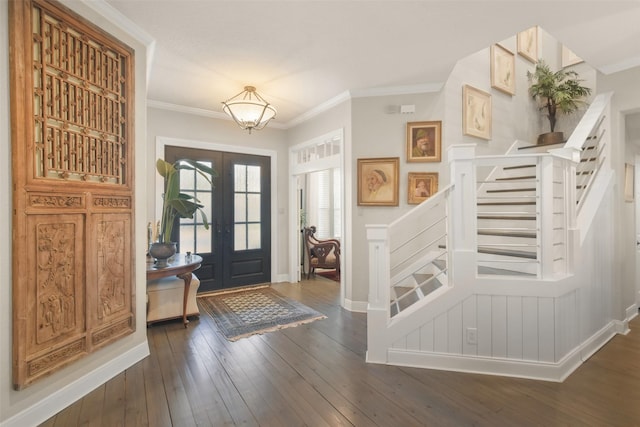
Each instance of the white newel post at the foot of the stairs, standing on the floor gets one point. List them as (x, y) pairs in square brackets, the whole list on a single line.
[(379, 292)]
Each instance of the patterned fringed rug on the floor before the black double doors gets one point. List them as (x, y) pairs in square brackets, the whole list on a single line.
[(242, 313)]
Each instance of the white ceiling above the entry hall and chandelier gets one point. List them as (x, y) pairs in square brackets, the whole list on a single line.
[(303, 54)]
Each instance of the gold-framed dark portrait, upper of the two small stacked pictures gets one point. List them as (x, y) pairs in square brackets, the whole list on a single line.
[(424, 141)]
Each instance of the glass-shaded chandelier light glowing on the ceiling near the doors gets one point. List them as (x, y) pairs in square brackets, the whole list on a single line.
[(249, 110)]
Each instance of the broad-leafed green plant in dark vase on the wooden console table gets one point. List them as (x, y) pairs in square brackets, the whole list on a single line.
[(176, 205)]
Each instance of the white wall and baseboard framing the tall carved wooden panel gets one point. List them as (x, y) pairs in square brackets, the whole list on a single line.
[(49, 395)]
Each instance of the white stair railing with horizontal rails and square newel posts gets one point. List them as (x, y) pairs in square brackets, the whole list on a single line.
[(447, 238)]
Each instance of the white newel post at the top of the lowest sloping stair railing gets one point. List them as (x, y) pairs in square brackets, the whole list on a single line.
[(463, 213)]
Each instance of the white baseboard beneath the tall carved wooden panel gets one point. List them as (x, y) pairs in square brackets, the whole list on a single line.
[(55, 402)]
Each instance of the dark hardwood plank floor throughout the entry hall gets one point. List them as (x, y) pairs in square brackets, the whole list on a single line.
[(315, 375)]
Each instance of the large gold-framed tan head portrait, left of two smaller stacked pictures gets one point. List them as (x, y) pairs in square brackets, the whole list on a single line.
[(378, 181)]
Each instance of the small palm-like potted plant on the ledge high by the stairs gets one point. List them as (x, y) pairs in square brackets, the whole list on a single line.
[(559, 91)]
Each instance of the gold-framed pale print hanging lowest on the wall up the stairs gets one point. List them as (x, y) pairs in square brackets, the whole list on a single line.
[(476, 112)]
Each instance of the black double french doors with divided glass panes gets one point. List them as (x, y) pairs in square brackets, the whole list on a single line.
[(236, 249)]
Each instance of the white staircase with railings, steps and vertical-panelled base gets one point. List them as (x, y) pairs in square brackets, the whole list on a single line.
[(486, 283)]
